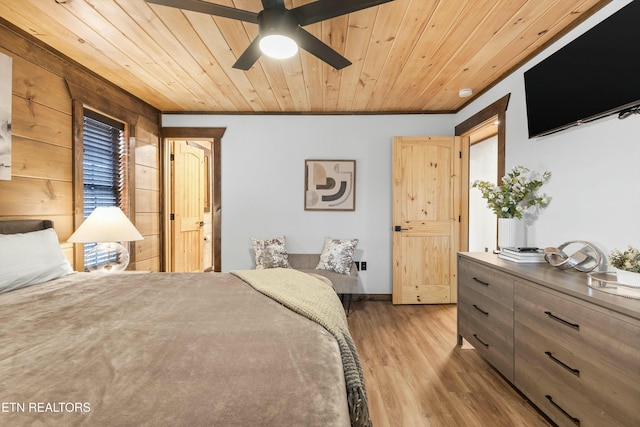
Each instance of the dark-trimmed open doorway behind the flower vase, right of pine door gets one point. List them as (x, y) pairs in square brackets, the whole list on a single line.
[(483, 137)]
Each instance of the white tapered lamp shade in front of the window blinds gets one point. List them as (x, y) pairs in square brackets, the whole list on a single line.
[(106, 224)]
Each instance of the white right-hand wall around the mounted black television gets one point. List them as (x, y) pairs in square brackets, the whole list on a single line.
[(595, 167)]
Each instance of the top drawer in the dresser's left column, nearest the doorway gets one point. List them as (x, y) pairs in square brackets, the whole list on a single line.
[(494, 284)]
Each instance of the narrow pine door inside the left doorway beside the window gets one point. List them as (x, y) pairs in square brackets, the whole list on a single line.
[(187, 185)]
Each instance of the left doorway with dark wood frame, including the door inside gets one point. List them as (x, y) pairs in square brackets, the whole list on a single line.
[(203, 247)]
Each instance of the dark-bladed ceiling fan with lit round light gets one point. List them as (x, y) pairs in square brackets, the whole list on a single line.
[(280, 28)]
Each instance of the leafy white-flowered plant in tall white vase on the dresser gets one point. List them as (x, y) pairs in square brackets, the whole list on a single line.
[(512, 199)]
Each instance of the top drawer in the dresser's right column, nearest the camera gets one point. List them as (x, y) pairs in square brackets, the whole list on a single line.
[(607, 337)]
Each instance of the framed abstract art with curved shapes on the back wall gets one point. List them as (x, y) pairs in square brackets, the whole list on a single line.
[(329, 185)]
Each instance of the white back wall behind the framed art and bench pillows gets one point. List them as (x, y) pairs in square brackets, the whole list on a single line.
[(263, 182)]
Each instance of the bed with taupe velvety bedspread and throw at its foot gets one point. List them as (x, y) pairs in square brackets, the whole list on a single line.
[(173, 349)]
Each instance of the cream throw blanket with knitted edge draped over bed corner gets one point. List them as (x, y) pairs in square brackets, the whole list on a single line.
[(315, 300)]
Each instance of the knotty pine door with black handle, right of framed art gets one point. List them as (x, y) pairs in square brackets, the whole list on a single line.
[(426, 219)]
